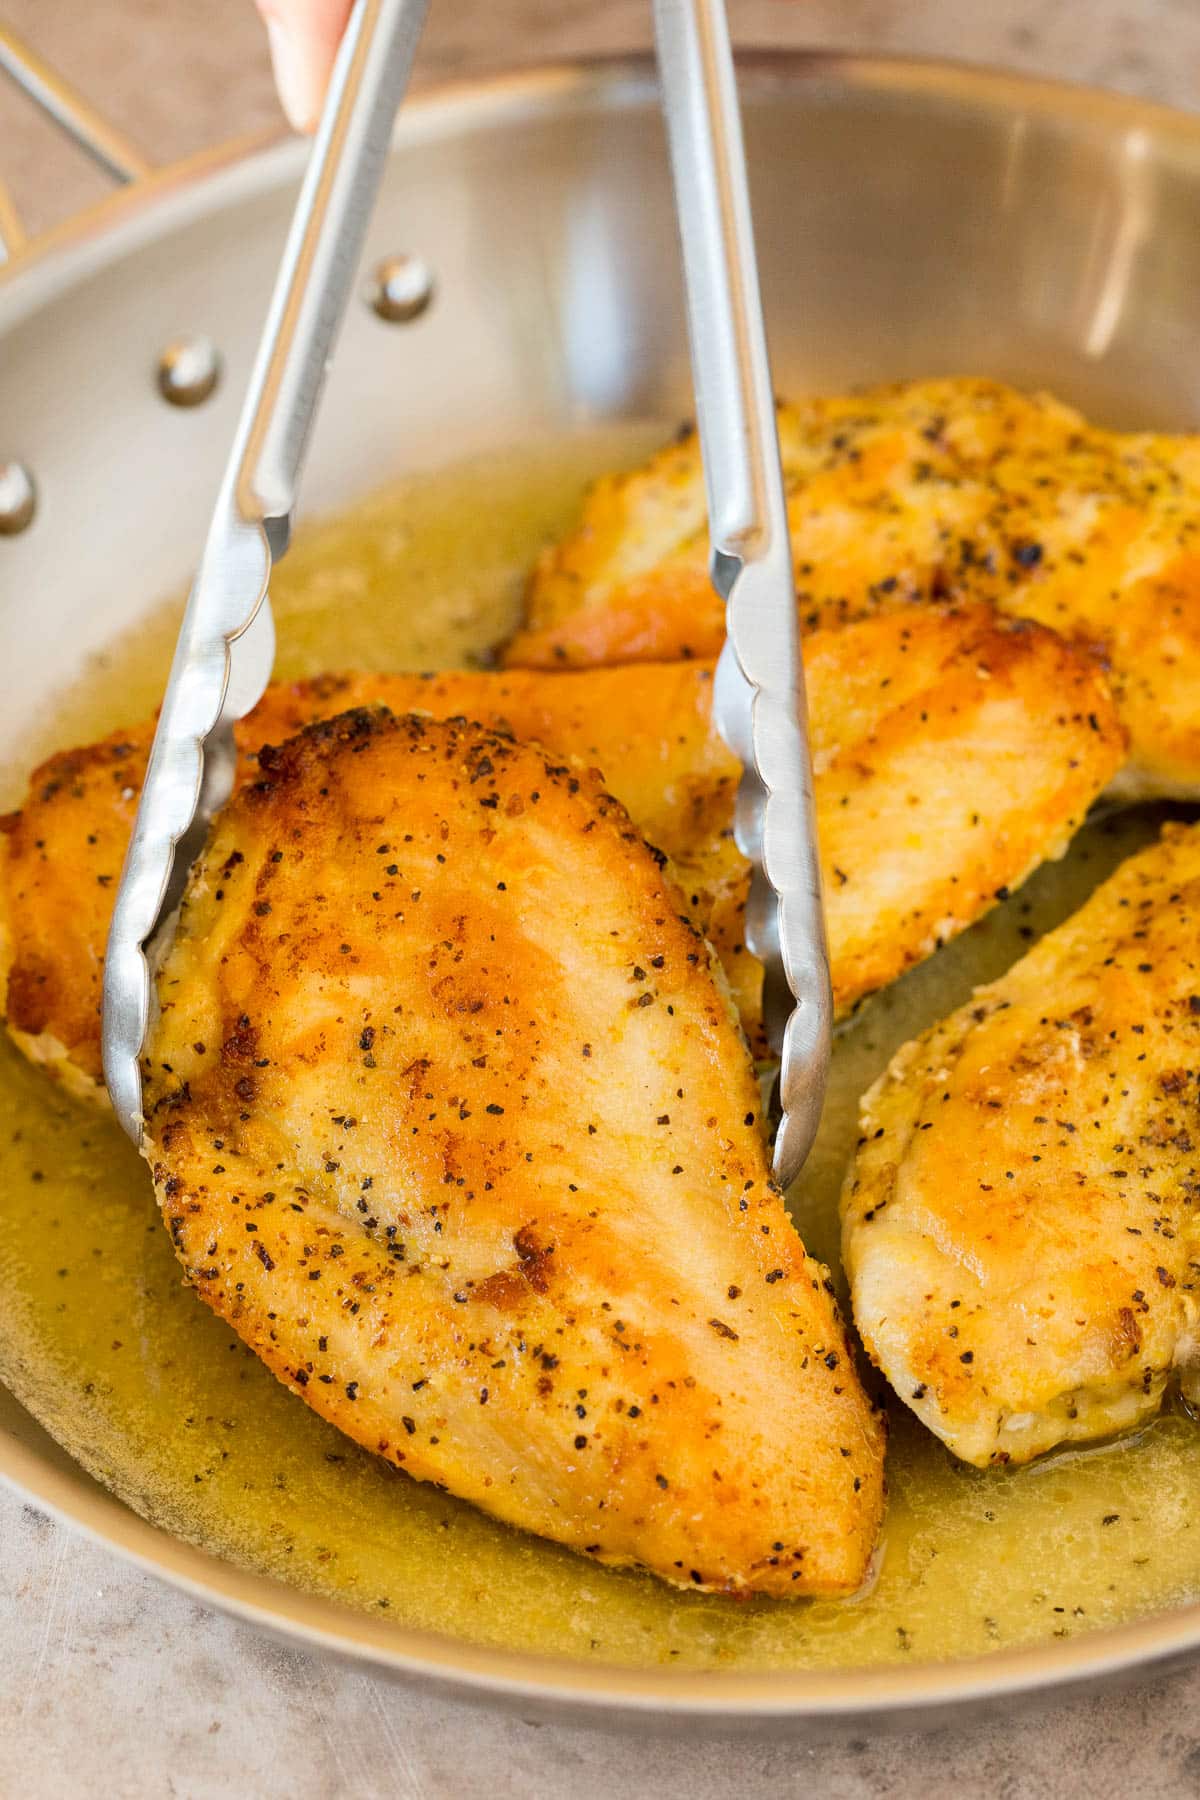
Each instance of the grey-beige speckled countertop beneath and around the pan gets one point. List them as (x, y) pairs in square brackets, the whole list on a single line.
[(116, 1686)]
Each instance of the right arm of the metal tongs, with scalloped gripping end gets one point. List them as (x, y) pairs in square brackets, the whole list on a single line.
[(760, 681)]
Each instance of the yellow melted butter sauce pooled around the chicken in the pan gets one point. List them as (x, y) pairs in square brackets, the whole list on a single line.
[(157, 1399)]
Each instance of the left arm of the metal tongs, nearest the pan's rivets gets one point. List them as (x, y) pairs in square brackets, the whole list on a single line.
[(226, 649)]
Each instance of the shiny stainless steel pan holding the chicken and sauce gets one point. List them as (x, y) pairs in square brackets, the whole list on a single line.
[(913, 220)]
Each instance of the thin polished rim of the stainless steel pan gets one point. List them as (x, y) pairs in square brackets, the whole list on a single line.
[(219, 179)]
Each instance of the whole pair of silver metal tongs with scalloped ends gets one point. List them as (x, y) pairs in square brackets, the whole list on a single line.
[(226, 647)]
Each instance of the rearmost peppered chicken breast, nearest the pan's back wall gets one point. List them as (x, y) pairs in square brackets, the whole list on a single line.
[(942, 490)]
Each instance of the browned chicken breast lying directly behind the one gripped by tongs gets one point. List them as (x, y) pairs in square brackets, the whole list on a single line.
[(953, 755)]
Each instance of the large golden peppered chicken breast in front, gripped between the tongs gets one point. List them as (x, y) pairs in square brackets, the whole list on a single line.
[(451, 1119)]
